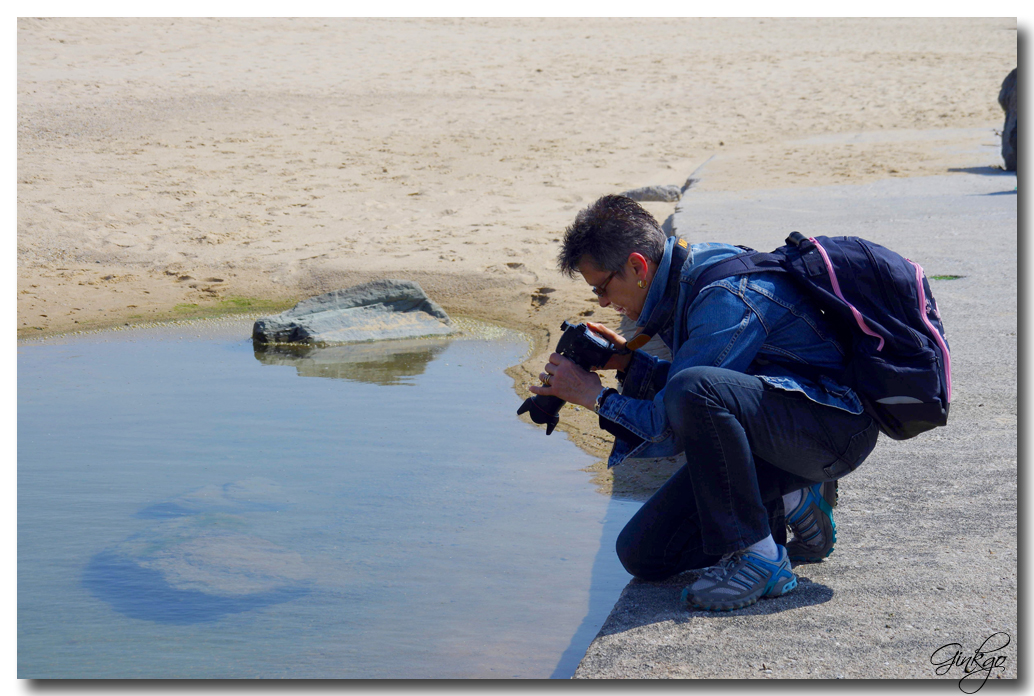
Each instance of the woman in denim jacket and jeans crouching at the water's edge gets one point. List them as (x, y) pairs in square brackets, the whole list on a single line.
[(751, 397)]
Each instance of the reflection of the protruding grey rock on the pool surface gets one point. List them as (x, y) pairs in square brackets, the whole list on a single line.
[(385, 364)]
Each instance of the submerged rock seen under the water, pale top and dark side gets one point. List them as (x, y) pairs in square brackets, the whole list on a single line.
[(200, 561)]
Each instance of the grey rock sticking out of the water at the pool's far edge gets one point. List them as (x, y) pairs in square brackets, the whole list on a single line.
[(372, 312)]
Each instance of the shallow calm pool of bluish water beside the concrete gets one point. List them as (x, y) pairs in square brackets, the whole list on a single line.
[(192, 508)]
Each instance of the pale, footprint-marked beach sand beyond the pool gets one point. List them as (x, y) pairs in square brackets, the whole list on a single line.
[(175, 168)]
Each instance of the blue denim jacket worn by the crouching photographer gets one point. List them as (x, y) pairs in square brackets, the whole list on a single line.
[(757, 324)]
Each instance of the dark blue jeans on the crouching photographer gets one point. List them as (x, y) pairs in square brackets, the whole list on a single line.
[(747, 445)]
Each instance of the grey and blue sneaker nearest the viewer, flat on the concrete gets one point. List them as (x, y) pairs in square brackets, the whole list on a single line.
[(740, 581)]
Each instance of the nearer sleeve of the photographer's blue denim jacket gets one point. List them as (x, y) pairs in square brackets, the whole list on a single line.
[(722, 331)]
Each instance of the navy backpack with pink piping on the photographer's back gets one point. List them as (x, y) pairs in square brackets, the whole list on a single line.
[(899, 362)]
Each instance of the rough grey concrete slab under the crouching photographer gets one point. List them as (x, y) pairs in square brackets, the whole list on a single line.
[(927, 548)]
